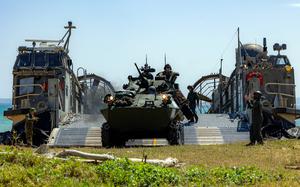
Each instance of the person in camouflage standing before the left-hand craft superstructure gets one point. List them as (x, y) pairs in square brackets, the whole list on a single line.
[(29, 122)]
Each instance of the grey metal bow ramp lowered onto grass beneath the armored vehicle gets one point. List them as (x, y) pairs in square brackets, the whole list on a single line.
[(211, 129)]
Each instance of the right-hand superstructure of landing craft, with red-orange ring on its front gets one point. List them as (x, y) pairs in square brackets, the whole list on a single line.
[(255, 69)]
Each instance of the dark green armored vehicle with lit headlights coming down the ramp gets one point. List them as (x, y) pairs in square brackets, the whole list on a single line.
[(147, 108)]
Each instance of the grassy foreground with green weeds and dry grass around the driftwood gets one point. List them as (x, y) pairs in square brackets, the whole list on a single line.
[(20, 167)]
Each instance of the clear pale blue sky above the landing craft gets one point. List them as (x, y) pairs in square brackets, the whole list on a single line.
[(112, 35)]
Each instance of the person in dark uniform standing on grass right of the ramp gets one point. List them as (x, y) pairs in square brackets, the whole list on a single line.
[(257, 119)]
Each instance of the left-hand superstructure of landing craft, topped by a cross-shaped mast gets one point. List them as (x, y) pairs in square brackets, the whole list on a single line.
[(43, 78)]
